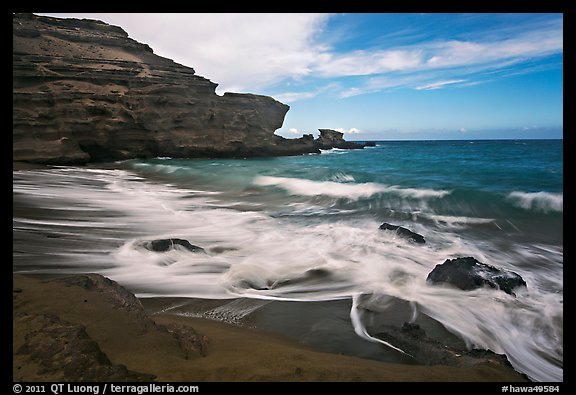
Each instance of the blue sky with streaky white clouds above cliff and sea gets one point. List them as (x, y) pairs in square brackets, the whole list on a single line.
[(377, 76)]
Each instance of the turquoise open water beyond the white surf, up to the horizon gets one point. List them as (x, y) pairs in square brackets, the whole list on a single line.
[(517, 186)]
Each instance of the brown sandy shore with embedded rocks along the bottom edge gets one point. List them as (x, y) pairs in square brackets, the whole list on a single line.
[(177, 348)]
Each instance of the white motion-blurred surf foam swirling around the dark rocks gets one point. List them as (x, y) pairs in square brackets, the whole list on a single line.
[(252, 254)]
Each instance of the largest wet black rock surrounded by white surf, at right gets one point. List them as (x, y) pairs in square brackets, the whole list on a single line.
[(467, 273)]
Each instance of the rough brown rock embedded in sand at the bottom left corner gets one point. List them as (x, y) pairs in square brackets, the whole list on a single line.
[(64, 349)]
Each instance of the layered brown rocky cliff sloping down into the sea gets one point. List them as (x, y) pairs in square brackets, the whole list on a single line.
[(83, 91)]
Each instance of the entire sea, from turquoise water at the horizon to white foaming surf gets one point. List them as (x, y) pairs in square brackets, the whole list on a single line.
[(306, 229)]
